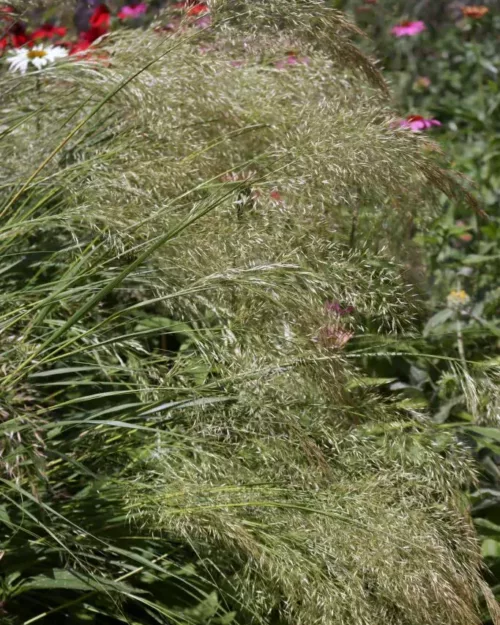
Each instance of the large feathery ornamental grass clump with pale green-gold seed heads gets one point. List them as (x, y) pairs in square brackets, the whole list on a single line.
[(186, 257)]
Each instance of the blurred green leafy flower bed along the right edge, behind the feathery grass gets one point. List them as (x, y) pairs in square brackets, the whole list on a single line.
[(449, 71)]
